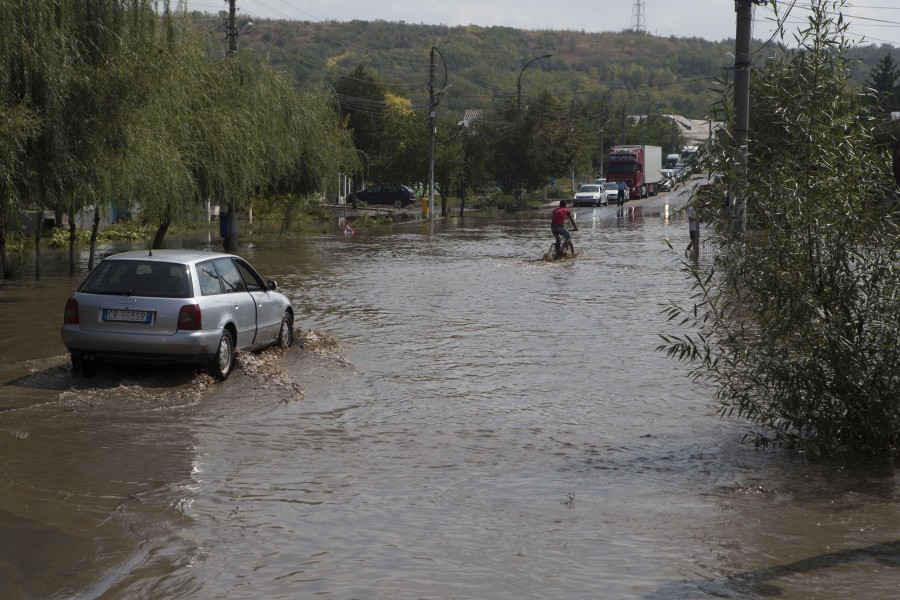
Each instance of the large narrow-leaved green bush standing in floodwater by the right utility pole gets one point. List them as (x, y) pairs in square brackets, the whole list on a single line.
[(797, 323)]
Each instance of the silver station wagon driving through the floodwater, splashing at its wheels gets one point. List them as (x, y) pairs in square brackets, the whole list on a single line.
[(174, 306)]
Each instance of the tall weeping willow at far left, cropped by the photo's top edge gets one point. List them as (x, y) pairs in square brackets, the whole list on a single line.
[(74, 64)]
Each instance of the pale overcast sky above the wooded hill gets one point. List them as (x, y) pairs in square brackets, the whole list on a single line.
[(877, 20)]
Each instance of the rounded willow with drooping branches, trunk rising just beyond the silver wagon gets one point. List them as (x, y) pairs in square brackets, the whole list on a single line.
[(256, 130)]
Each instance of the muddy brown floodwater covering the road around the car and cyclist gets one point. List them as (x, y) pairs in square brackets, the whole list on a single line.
[(467, 421)]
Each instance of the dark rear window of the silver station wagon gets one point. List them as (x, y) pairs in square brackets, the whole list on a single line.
[(138, 278)]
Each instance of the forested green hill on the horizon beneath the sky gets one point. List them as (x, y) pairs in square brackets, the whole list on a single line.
[(483, 64)]
